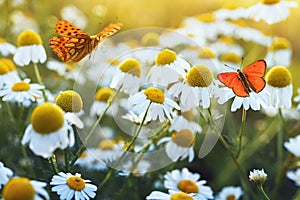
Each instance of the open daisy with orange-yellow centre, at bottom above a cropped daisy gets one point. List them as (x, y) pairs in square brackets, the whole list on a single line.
[(187, 182)]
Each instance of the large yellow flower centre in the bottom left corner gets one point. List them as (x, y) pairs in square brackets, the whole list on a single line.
[(18, 189)]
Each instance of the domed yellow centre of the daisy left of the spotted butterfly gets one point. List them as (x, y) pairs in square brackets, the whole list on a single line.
[(28, 37)]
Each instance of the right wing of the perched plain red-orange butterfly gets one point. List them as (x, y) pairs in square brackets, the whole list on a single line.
[(255, 73)]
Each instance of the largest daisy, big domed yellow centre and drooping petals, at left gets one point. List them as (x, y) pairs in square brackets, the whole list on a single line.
[(48, 130)]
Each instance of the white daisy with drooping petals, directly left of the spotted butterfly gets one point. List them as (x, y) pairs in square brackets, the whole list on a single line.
[(30, 48)]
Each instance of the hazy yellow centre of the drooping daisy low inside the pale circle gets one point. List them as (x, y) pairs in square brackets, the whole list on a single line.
[(184, 138)]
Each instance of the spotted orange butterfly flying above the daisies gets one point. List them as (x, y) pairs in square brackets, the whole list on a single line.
[(74, 44)]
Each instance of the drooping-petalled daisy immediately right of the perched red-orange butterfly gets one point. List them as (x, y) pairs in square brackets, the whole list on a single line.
[(279, 86)]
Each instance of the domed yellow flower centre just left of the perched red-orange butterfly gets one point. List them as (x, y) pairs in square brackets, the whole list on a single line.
[(199, 76)]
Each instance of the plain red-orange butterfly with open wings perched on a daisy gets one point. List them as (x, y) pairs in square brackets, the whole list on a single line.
[(247, 80)]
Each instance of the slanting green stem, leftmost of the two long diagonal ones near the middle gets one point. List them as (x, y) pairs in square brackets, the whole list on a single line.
[(82, 146)]
